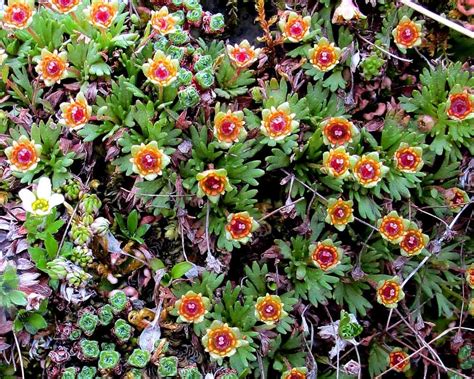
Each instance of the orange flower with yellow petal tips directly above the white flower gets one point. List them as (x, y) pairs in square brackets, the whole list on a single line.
[(23, 155)]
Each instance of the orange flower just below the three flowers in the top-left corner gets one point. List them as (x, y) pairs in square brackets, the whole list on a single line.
[(52, 67)]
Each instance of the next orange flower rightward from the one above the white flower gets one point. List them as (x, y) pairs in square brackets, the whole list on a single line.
[(148, 160)]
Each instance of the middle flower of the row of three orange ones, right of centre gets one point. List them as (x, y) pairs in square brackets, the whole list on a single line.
[(368, 170)]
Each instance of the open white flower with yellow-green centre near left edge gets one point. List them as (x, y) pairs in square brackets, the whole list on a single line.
[(41, 201)]
